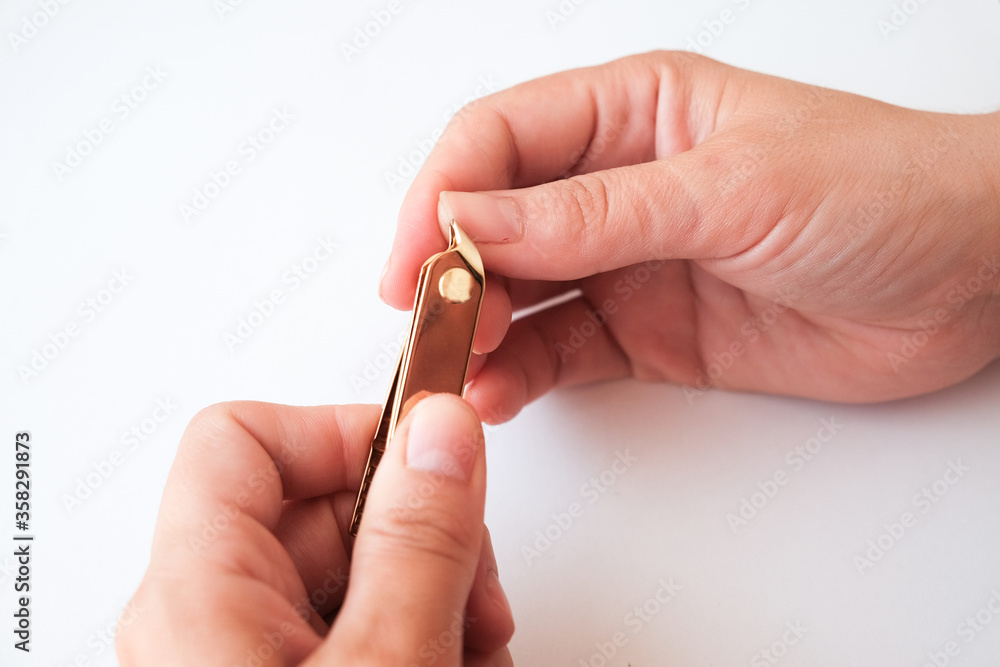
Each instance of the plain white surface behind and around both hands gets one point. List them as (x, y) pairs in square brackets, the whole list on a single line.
[(162, 337)]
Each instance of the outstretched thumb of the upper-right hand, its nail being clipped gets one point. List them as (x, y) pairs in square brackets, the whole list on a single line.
[(595, 222)]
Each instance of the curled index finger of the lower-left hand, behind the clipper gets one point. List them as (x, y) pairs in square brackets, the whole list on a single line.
[(247, 458)]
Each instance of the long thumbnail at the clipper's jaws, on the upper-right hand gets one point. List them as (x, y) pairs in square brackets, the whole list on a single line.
[(487, 218)]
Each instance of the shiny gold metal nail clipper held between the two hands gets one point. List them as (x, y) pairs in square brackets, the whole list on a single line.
[(436, 355)]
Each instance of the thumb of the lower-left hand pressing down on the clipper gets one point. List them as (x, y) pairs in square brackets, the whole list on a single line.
[(416, 555)]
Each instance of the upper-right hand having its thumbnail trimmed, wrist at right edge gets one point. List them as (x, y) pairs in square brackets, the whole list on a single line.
[(725, 229)]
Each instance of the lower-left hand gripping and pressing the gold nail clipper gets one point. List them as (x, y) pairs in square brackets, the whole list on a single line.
[(252, 550)]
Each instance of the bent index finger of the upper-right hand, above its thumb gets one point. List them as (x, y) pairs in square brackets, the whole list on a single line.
[(564, 124)]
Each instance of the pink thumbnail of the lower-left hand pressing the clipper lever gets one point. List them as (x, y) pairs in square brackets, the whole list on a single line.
[(444, 437)]
